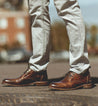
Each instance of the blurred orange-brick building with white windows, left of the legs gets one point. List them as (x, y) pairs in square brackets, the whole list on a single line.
[(14, 24)]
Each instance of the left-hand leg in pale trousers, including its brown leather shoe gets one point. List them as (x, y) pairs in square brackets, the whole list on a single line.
[(36, 74)]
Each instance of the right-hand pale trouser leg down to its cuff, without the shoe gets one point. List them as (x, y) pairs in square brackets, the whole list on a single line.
[(69, 11)]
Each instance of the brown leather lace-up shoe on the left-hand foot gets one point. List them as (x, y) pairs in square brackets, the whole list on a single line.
[(28, 78)]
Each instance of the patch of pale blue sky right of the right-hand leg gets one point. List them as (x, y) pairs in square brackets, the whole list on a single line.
[(89, 11)]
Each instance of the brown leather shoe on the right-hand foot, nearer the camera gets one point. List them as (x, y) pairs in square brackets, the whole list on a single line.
[(73, 81)]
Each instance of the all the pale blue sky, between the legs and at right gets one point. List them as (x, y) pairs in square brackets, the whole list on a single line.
[(88, 7)]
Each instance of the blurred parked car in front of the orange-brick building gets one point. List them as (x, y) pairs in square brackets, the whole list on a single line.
[(15, 55)]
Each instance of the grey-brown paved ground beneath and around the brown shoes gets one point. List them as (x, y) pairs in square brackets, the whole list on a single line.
[(42, 96)]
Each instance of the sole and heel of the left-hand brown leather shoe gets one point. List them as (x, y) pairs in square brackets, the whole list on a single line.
[(38, 83)]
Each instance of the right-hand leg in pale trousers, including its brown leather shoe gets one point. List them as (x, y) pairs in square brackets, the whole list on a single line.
[(79, 75)]
